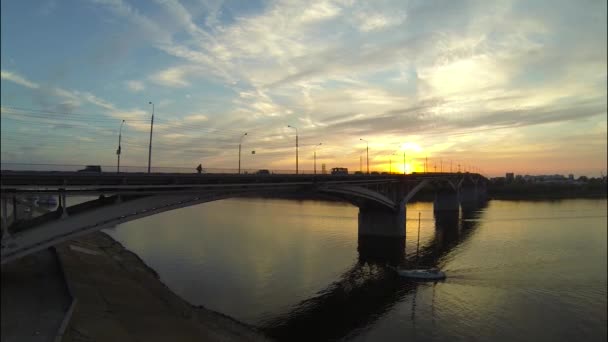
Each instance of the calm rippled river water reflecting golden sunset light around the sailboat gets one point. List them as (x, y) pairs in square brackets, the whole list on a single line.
[(517, 270)]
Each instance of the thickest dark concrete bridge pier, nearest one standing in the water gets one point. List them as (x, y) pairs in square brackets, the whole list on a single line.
[(381, 222)]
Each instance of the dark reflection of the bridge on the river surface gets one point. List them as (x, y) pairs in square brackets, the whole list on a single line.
[(369, 289)]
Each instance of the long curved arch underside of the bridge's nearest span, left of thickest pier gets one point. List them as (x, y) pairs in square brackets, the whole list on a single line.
[(106, 212)]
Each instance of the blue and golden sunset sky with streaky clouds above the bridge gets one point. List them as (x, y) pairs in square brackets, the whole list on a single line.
[(493, 86)]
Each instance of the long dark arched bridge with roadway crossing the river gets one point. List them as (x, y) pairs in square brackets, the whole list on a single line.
[(123, 197)]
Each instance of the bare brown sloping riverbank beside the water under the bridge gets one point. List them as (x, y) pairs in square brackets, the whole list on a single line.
[(121, 299)]
